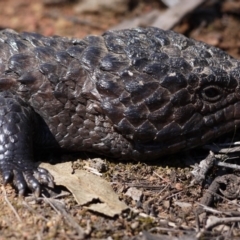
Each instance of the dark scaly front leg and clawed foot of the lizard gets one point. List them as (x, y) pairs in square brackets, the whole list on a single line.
[(16, 146)]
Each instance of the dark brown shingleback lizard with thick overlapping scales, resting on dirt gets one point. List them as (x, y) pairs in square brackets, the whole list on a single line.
[(129, 94)]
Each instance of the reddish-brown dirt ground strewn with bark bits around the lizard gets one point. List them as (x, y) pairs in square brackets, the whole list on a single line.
[(168, 200)]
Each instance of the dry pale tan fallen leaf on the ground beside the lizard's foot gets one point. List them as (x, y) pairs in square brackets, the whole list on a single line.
[(87, 187)]
